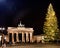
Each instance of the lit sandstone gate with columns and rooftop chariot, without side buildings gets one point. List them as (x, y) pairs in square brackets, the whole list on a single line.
[(28, 32)]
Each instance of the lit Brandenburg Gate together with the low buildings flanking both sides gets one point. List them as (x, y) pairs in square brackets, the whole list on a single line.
[(26, 35)]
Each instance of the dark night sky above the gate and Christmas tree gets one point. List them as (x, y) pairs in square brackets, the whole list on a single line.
[(32, 13)]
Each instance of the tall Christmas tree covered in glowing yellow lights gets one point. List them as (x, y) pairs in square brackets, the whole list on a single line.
[(50, 27)]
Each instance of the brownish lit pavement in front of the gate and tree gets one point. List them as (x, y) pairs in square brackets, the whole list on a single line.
[(35, 46)]
